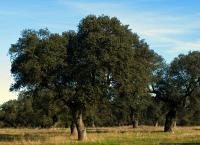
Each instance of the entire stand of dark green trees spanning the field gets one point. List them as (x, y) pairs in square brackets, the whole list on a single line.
[(101, 75)]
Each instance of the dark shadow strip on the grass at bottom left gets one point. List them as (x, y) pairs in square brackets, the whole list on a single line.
[(31, 137)]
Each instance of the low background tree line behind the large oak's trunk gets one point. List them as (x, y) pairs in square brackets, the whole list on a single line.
[(26, 113)]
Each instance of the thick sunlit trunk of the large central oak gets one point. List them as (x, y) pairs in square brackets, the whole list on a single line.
[(78, 118)]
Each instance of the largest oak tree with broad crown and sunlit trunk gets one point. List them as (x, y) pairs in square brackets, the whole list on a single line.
[(104, 60)]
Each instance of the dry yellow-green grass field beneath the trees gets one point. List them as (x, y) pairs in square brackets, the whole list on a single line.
[(101, 136)]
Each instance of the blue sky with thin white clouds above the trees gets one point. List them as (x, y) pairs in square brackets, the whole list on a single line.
[(170, 27)]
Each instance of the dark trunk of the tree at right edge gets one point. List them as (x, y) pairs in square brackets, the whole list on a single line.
[(170, 119)]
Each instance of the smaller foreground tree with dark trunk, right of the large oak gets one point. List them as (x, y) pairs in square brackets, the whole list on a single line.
[(179, 86)]
